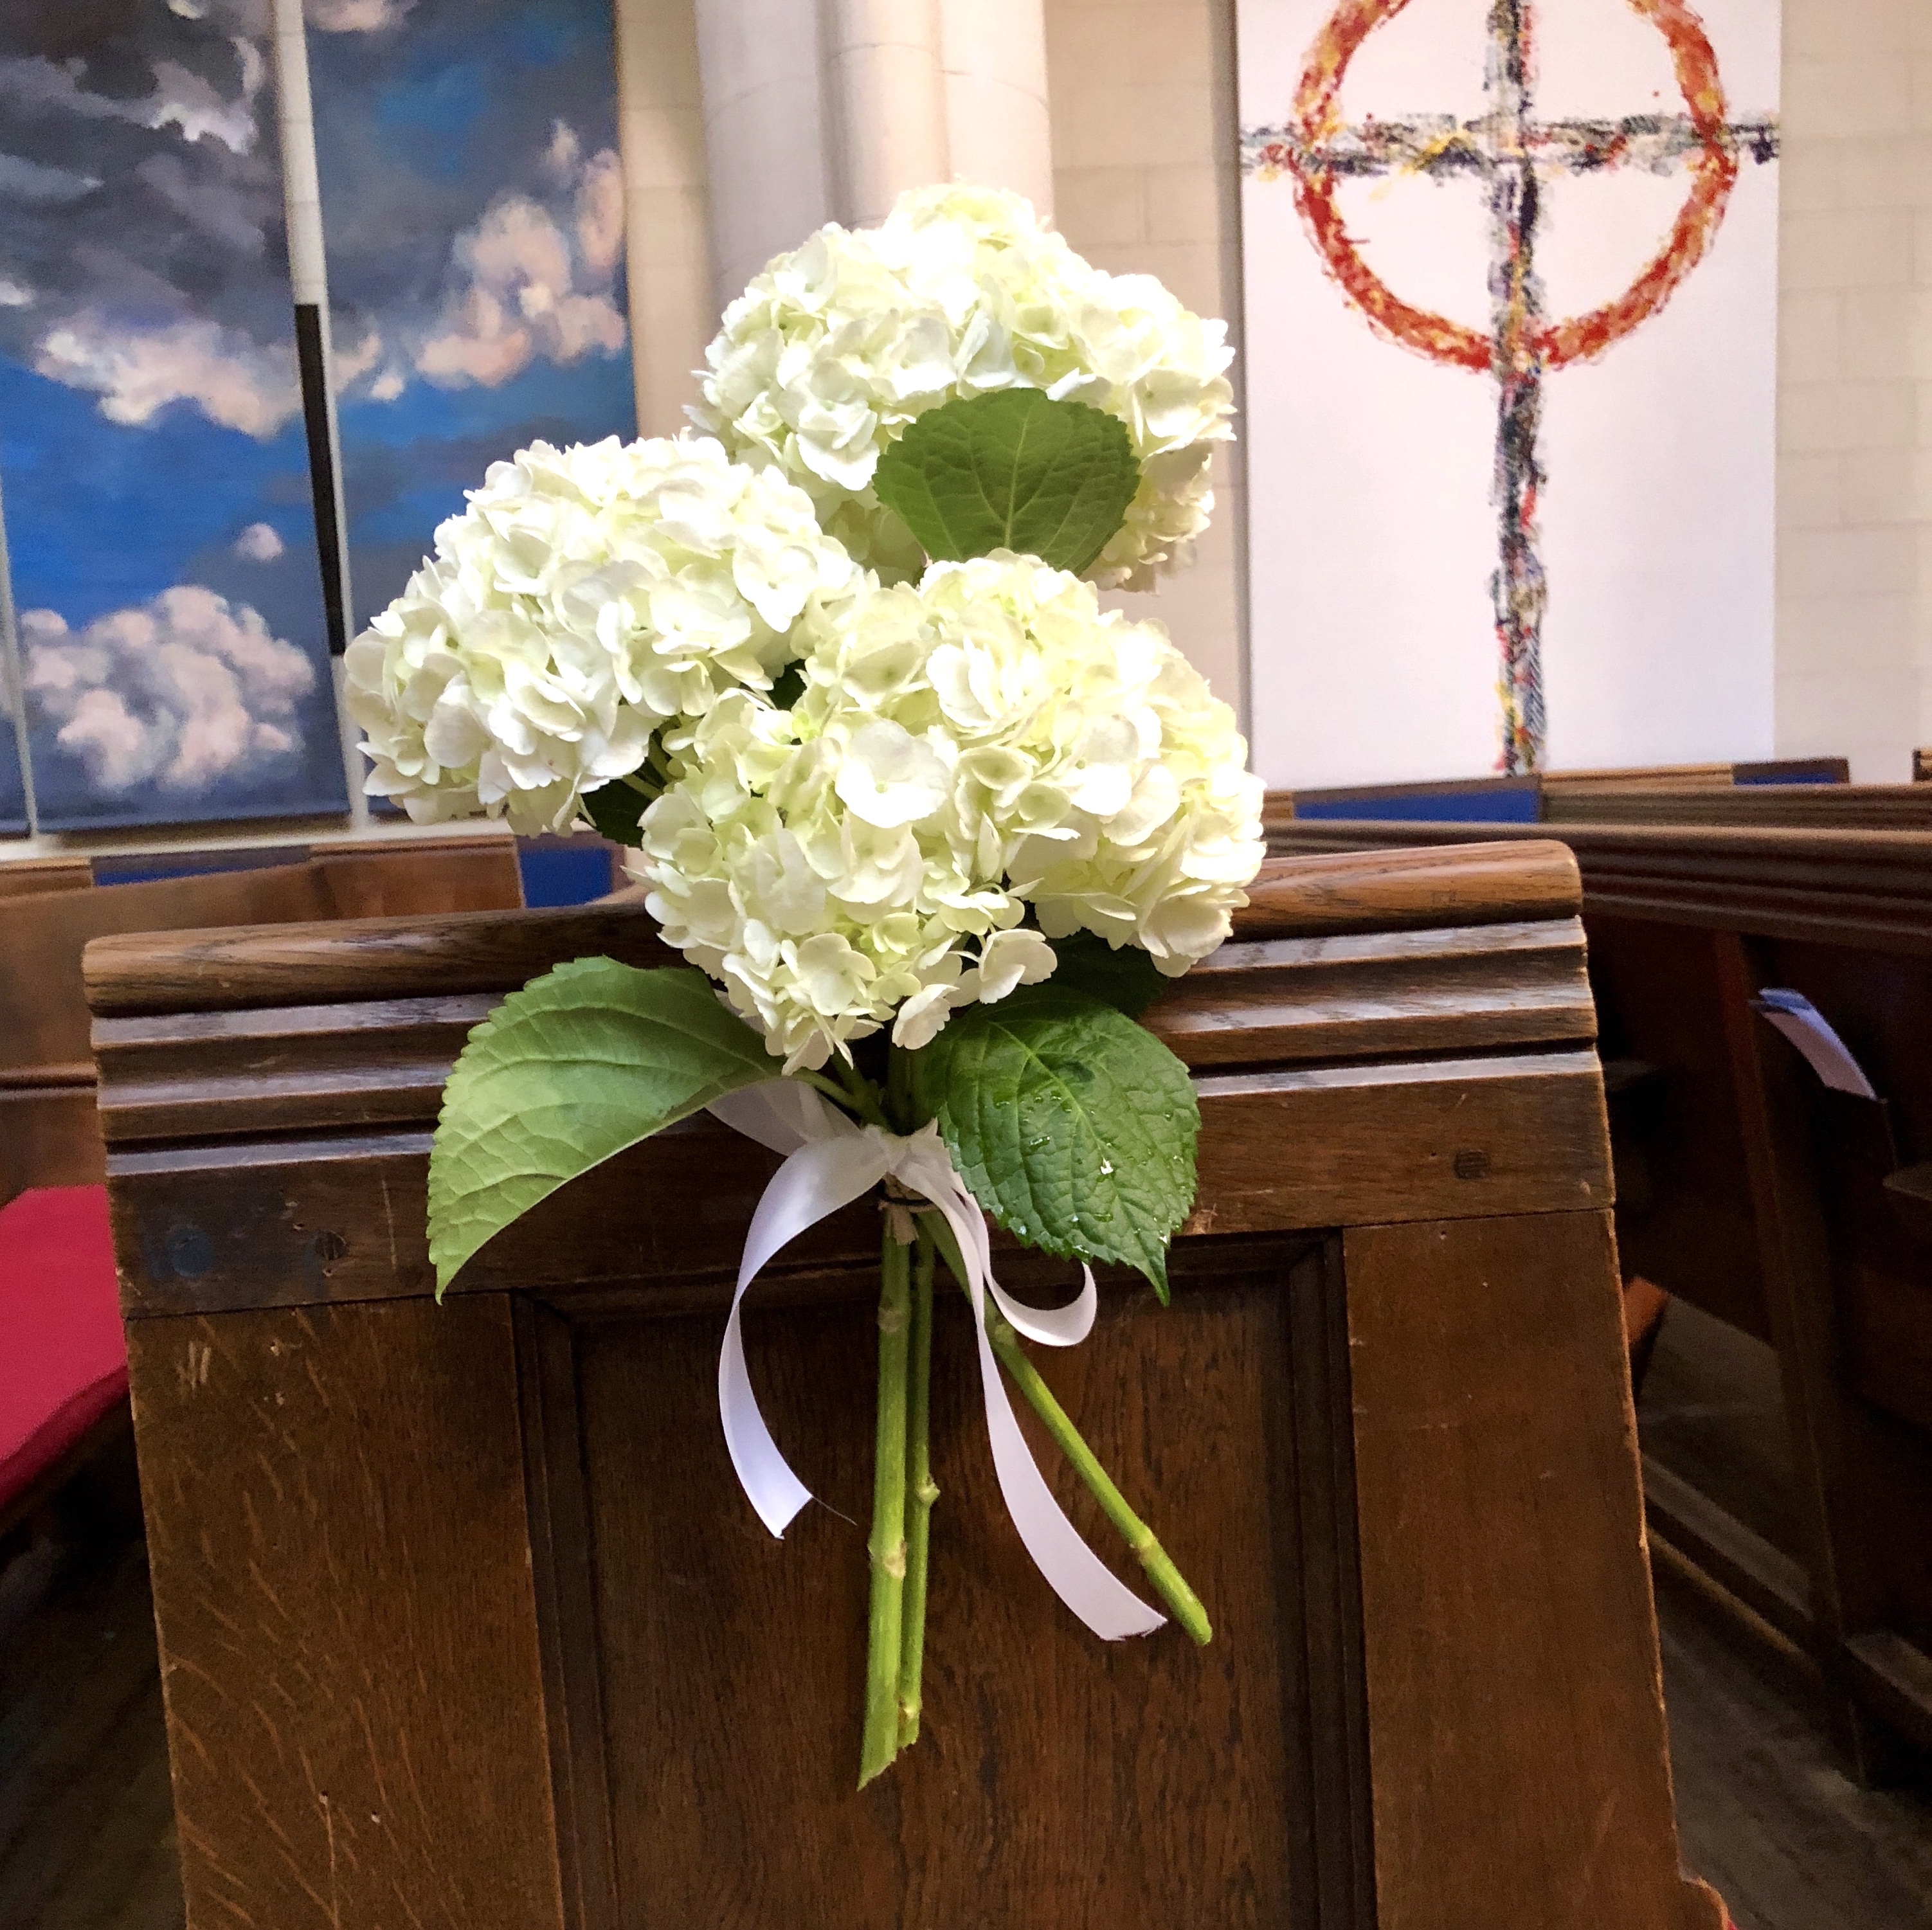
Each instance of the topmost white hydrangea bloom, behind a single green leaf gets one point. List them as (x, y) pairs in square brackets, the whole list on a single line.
[(830, 353)]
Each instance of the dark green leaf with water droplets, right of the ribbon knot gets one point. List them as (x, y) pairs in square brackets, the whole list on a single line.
[(1069, 1123)]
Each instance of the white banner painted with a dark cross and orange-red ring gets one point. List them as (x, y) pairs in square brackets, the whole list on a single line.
[(1512, 293)]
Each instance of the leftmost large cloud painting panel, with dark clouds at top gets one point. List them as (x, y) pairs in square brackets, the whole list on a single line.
[(159, 525)]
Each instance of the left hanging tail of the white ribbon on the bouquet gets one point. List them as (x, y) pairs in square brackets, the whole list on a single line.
[(814, 1183)]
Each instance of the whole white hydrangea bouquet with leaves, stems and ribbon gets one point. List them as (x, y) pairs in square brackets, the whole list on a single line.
[(928, 824)]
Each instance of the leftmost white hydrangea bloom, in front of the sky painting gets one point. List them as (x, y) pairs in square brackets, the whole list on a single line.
[(582, 600)]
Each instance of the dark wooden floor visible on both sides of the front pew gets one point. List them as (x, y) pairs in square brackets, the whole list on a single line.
[(88, 1838)]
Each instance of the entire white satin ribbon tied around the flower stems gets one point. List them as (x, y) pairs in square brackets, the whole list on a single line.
[(832, 1162)]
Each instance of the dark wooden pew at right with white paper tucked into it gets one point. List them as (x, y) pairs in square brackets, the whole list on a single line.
[(1796, 1214)]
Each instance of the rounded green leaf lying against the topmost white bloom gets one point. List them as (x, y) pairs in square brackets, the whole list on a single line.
[(1011, 470)]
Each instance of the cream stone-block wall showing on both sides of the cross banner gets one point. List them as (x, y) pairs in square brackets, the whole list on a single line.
[(1145, 179)]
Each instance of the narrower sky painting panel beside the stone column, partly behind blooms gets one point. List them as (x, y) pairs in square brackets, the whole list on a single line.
[(474, 225)]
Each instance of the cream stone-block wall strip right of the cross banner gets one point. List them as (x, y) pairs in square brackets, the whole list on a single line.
[(1856, 385)]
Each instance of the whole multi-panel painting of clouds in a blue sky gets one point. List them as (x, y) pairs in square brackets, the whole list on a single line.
[(169, 619)]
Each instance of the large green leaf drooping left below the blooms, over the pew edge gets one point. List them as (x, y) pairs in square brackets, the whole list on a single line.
[(581, 1064)]
